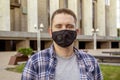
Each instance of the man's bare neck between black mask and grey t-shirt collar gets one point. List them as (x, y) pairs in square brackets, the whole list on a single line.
[(64, 52)]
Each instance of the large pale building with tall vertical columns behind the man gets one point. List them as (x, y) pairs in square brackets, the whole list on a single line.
[(19, 20)]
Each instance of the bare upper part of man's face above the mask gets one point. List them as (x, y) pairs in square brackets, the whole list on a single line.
[(63, 22)]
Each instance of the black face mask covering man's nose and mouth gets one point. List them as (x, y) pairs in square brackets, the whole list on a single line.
[(64, 38)]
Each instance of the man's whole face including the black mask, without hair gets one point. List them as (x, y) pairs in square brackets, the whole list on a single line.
[(61, 30)]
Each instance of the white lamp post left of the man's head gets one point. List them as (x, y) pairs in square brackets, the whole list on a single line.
[(39, 29)]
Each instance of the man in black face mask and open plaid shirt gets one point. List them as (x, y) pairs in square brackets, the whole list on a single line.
[(62, 61)]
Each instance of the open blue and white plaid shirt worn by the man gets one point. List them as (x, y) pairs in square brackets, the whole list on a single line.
[(41, 66)]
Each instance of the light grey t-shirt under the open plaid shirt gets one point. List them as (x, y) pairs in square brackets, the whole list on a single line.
[(67, 68)]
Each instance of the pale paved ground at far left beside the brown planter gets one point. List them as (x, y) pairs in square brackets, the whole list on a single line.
[(4, 74)]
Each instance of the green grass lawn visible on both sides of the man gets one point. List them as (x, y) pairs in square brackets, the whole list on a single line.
[(109, 72)]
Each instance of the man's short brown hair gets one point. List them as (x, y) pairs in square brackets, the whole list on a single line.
[(65, 11)]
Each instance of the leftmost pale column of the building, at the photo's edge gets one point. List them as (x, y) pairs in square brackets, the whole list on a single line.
[(5, 15)]
